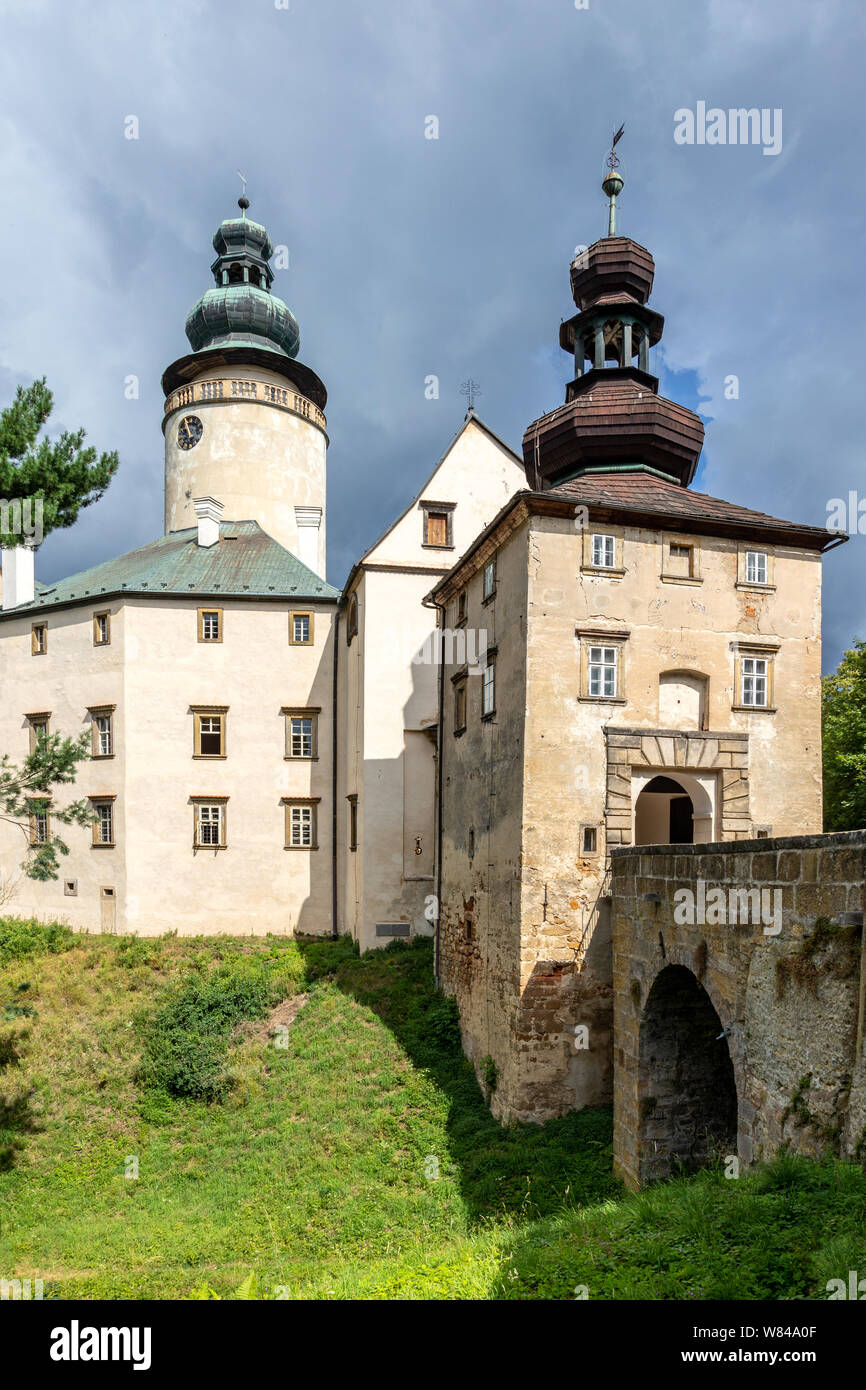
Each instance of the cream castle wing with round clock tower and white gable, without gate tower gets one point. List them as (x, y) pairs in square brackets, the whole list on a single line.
[(263, 749)]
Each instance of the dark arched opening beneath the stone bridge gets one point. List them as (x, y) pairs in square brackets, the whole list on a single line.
[(687, 1089)]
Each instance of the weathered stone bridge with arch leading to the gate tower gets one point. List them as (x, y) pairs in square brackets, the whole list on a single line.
[(739, 1001)]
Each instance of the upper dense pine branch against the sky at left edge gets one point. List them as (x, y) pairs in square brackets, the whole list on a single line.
[(62, 472)]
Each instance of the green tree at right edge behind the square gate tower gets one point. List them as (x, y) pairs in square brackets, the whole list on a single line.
[(844, 737)]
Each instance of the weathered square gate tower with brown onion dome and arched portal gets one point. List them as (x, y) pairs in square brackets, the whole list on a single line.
[(653, 676)]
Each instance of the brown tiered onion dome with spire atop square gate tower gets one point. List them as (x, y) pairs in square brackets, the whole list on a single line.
[(614, 418)]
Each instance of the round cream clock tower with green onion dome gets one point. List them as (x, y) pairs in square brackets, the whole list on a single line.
[(244, 418)]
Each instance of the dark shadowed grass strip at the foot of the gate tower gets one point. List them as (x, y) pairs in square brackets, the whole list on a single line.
[(521, 1171)]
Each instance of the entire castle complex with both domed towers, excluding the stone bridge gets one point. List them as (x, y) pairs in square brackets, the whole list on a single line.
[(543, 658)]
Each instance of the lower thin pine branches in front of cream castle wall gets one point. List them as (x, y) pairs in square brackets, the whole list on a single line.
[(28, 790)]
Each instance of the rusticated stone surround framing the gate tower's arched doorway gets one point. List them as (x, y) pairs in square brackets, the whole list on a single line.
[(728, 754)]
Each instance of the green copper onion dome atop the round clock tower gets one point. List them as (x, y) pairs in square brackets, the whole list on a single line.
[(241, 311)]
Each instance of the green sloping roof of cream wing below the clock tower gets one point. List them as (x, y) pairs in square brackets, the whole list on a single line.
[(245, 564)]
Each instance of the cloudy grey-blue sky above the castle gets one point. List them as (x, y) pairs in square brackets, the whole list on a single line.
[(412, 256)]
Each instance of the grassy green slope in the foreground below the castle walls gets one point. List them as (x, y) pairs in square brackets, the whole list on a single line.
[(312, 1167)]
